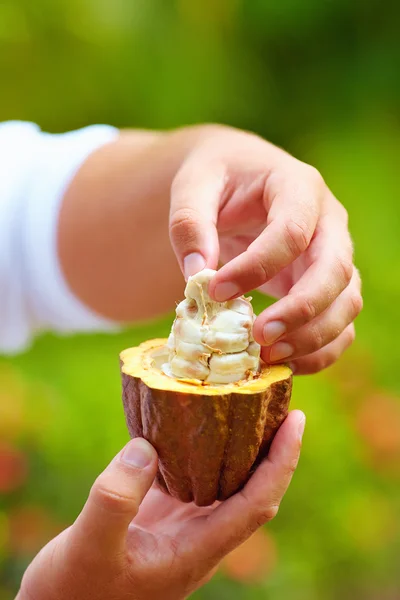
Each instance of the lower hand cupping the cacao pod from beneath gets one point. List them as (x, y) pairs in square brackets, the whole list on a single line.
[(132, 542)]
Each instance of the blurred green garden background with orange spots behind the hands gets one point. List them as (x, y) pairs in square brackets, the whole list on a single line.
[(322, 80)]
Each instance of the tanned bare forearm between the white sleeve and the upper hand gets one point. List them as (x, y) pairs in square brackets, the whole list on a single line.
[(113, 239)]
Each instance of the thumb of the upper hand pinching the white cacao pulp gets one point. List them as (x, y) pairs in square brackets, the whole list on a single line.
[(195, 199)]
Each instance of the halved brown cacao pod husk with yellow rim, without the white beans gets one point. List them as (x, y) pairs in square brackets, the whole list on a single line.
[(208, 438)]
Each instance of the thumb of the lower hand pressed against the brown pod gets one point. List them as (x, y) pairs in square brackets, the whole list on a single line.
[(115, 498)]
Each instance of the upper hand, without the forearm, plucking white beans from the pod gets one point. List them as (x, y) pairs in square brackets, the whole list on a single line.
[(275, 225)]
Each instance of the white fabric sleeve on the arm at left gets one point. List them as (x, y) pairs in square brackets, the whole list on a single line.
[(35, 170)]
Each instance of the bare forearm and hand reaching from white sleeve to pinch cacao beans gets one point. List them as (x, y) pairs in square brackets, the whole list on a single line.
[(220, 196)]
